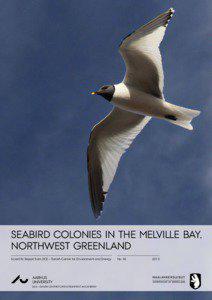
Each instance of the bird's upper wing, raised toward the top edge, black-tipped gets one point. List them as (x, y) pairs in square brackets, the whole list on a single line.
[(140, 51)]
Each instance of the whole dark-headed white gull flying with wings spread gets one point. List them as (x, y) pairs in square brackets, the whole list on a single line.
[(137, 99)]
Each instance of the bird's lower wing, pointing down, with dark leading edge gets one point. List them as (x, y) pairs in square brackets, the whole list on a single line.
[(109, 140)]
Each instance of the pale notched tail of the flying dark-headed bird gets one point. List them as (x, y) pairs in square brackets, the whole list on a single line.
[(182, 116)]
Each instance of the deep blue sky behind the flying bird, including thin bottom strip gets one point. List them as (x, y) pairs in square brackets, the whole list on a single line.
[(52, 54)]
